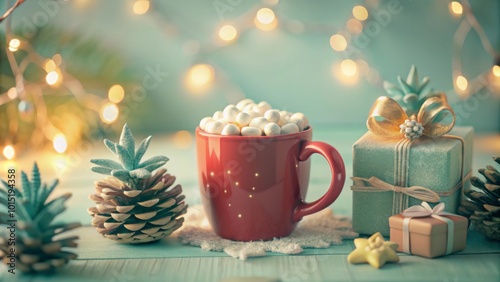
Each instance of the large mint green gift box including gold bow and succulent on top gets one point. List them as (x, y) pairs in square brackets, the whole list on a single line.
[(411, 153)]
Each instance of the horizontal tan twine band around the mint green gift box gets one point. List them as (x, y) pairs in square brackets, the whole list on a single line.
[(374, 184)]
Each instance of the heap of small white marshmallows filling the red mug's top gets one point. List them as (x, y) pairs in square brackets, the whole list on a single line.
[(249, 119)]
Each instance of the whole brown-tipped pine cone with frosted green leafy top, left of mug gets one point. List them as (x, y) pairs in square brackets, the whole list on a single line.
[(135, 205)]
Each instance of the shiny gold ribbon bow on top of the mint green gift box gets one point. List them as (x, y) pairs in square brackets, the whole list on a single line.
[(386, 117)]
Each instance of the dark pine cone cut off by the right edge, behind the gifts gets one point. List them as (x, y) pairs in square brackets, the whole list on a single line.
[(483, 205)]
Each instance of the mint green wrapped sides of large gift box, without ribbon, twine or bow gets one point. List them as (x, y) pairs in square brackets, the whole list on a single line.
[(433, 163)]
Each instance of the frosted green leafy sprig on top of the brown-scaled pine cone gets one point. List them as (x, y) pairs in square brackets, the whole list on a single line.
[(130, 169)]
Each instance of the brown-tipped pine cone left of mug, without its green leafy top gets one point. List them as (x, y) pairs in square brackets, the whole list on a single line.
[(146, 213)]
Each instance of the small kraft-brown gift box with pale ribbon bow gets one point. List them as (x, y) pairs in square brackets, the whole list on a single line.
[(429, 236)]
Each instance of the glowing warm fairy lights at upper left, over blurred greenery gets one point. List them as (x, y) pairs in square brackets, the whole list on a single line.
[(29, 95)]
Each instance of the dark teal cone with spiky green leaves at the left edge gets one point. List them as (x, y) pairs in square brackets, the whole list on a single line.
[(36, 250)]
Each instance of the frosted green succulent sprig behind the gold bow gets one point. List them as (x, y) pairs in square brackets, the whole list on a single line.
[(410, 94)]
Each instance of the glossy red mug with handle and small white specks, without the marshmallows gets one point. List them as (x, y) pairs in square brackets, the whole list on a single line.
[(253, 188)]
